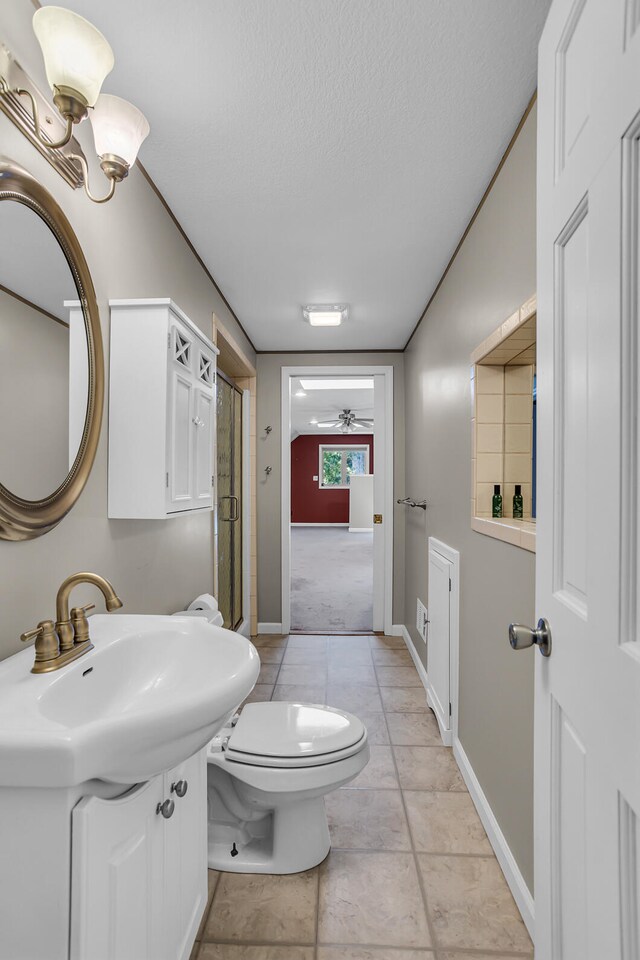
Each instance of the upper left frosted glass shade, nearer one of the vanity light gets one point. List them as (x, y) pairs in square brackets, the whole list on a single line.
[(76, 55)]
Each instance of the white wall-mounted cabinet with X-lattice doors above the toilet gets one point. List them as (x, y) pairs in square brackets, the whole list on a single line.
[(161, 412)]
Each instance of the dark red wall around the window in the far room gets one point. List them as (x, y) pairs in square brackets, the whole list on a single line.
[(309, 503)]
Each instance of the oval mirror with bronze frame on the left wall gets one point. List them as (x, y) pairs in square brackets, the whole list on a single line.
[(51, 388)]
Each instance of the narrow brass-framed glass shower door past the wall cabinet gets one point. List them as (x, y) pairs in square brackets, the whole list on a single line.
[(229, 479)]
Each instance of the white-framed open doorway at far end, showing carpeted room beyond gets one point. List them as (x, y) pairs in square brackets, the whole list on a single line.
[(333, 555)]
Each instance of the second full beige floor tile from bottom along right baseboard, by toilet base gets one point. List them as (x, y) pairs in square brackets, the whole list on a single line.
[(445, 823)]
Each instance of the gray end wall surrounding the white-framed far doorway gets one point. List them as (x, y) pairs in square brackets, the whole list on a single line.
[(268, 508)]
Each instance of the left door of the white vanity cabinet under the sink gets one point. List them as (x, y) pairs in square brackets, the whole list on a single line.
[(117, 877)]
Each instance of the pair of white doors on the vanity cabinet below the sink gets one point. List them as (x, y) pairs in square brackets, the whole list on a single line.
[(138, 876)]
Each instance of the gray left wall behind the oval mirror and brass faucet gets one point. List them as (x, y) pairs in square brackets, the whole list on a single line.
[(133, 250)]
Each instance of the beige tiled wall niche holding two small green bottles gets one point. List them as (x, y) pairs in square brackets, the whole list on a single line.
[(502, 372)]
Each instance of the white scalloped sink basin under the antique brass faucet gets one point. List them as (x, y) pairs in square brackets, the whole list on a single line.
[(152, 692)]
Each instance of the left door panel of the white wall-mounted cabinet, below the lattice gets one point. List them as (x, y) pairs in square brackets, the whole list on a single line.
[(180, 442)]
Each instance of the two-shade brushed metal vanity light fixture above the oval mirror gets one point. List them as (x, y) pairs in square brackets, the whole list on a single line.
[(77, 59)]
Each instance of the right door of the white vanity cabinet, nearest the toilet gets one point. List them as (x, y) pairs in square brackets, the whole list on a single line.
[(185, 863)]
